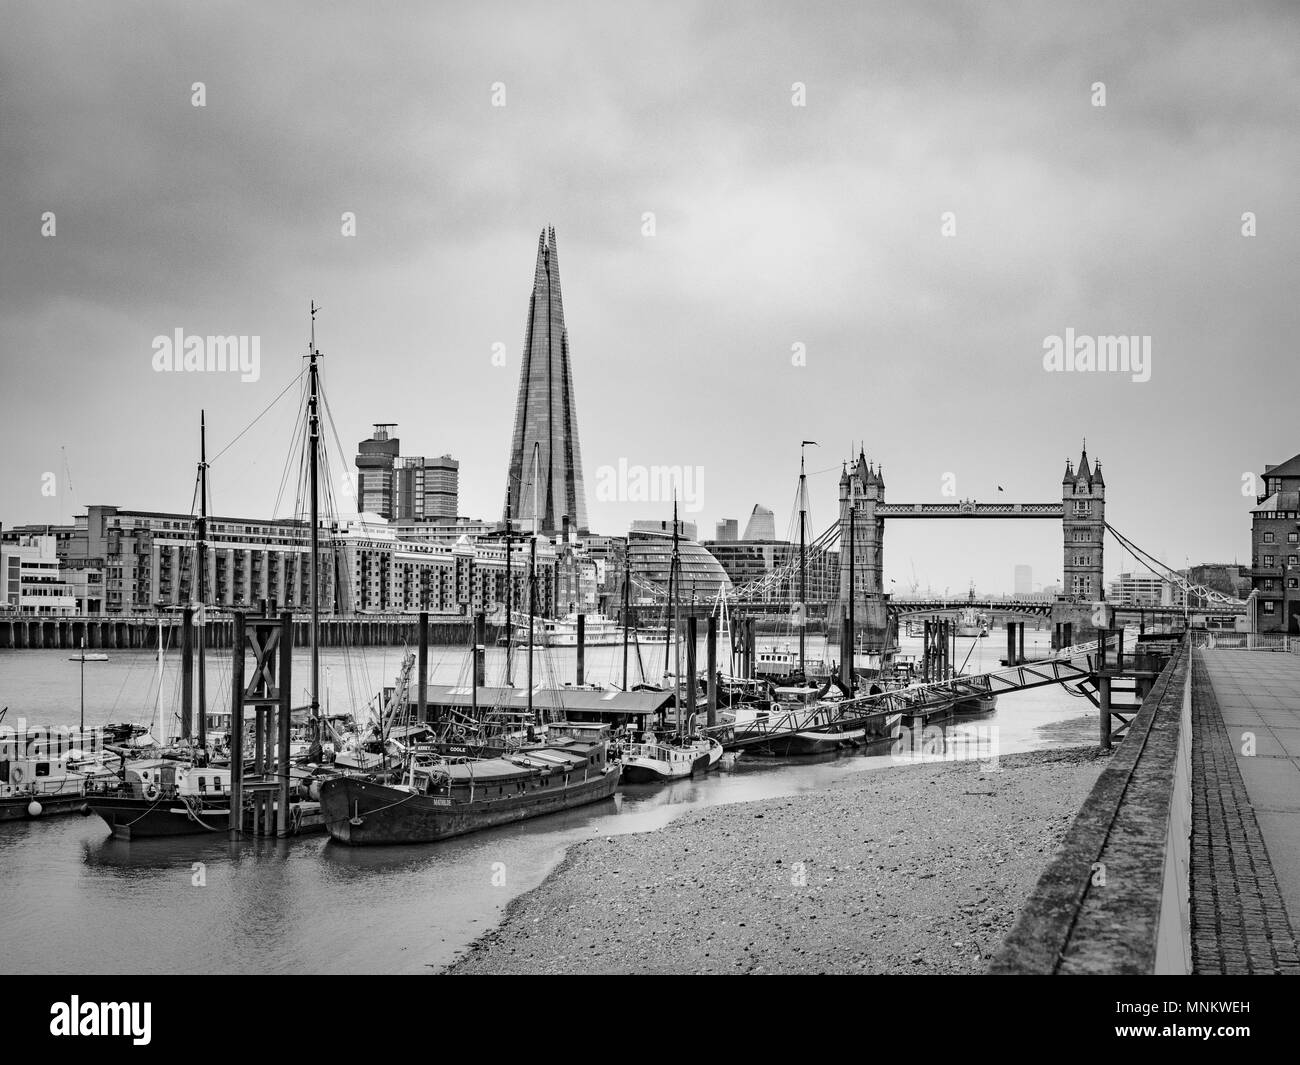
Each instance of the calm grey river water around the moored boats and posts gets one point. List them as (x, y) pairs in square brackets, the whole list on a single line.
[(73, 901)]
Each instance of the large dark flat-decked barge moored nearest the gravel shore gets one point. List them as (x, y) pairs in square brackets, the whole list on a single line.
[(445, 799)]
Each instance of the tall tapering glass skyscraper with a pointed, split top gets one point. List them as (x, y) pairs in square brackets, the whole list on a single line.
[(545, 417)]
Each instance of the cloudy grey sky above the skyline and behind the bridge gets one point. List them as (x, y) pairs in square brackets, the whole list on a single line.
[(774, 226)]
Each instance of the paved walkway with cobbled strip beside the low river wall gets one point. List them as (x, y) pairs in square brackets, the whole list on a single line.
[(1246, 812)]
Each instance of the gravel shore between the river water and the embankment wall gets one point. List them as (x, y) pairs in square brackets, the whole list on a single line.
[(915, 869)]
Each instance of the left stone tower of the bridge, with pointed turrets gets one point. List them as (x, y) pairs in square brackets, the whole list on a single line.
[(863, 490)]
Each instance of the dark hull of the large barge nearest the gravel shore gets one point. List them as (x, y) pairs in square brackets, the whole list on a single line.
[(393, 816)]
